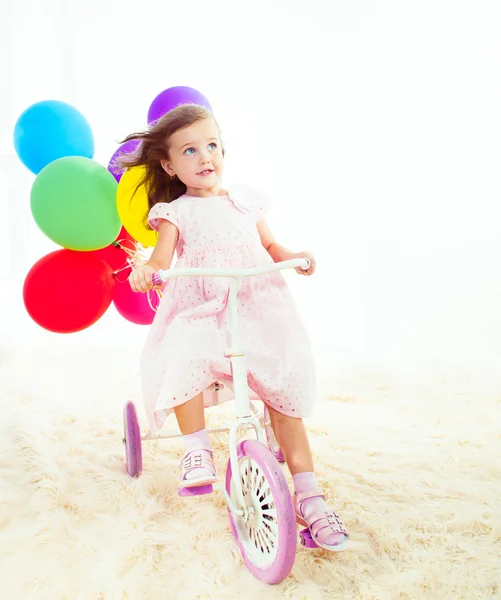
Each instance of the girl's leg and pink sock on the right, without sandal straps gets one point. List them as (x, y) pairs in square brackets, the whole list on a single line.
[(292, 438)]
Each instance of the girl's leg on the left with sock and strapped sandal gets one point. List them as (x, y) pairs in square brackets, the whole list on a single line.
[(197, 464)]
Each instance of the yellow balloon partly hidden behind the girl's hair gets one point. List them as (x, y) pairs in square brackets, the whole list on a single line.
[(132, 206)]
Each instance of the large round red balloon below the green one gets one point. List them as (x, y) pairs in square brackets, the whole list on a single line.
[(68, 291)]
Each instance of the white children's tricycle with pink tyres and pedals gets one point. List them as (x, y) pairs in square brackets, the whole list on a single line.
[(270, 495)]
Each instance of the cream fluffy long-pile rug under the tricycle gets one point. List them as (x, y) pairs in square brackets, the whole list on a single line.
[(410, 460)]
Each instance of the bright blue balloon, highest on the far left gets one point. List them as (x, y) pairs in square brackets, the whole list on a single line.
[(49, 130)]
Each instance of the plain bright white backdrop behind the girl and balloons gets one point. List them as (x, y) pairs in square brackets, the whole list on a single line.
[(375, 127)]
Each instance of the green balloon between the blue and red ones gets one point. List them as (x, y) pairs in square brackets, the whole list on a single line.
[(73, 201)]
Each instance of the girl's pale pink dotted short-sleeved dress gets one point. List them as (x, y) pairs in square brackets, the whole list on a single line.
[(185, 348)]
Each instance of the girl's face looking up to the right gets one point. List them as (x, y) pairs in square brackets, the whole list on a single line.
[(196, 157)]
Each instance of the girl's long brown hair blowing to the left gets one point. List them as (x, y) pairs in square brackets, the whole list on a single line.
[(154, 147)]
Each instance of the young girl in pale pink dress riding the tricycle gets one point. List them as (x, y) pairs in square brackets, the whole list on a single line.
[(211, 227)]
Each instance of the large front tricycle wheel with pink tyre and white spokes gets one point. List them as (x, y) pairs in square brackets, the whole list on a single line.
[(267, 541)]
